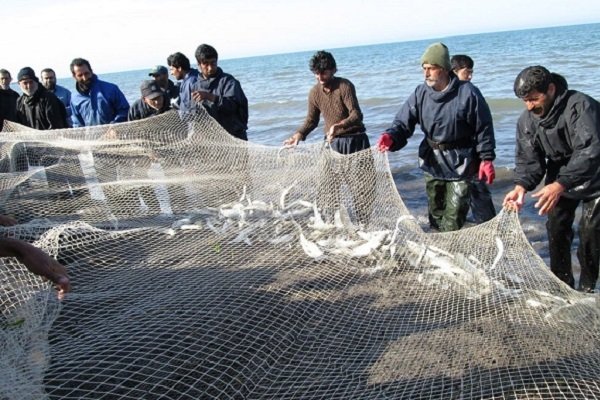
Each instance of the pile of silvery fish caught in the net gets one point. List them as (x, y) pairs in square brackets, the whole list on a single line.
[(300, 222)]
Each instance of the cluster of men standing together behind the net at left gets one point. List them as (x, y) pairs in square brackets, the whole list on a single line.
[(97, 102)]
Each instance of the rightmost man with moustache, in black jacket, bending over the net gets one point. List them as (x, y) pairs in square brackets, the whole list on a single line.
[(558, 137)]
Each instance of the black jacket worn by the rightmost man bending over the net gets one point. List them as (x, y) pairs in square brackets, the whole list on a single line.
[(564, 146)]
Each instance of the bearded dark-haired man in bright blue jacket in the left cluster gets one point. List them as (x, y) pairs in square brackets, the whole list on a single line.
[(95, 102)]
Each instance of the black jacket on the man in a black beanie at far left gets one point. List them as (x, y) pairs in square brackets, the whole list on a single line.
[(43, 110)]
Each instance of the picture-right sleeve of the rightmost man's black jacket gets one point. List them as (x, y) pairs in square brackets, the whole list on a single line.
[(584, 132)]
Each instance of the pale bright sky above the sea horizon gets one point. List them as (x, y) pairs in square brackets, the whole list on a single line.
[(122, 35)]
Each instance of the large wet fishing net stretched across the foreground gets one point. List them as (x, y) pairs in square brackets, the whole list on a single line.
[(204, 267)]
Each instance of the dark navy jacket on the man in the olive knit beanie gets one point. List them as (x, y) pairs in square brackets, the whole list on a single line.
[(458, 129)]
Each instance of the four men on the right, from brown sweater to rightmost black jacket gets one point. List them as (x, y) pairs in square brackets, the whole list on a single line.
[(558, 138)]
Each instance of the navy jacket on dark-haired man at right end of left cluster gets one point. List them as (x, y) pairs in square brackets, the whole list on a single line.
[(230, 108)]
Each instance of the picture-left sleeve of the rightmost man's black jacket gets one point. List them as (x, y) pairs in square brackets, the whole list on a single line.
[(530, 160)]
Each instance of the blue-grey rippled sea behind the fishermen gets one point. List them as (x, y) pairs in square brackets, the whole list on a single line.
[(385, 74)]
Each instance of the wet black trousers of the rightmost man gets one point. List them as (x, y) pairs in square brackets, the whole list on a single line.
[(560, 239)]
